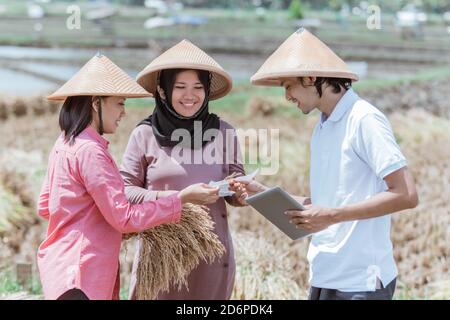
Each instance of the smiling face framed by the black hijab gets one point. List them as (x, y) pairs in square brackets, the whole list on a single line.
[(188, 93)]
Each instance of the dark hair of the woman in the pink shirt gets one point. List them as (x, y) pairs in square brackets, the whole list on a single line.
[(75, 116)]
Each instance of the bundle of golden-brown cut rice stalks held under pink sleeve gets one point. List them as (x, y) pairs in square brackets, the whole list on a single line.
[(169, 252)]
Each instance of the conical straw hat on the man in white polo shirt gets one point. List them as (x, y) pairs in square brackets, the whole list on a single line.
[(301, 55)]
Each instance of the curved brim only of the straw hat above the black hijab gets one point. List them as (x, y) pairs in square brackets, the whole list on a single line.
[(221, 82)]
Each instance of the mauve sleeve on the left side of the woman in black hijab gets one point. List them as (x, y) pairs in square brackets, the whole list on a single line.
[(133, 172)]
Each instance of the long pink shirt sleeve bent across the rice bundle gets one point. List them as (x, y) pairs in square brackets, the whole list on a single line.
[(105, 185)]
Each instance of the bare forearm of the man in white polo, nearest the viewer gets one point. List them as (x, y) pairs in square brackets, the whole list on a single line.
[(379, 205)]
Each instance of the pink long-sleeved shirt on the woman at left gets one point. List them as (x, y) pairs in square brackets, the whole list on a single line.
[(83, 198)]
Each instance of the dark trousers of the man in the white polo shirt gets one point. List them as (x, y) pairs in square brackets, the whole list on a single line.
[(385, 293)]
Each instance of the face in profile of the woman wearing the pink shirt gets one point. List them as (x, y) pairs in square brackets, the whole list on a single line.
[(113, 110)]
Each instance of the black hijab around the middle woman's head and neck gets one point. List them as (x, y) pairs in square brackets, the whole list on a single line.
[(166, 120)]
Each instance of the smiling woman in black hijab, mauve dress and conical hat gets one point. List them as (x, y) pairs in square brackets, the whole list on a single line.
[(182, 143)]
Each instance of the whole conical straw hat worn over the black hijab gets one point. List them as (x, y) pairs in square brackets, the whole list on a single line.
[(186, 55)]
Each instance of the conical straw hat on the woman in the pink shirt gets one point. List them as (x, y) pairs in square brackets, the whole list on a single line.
[(100, 77)]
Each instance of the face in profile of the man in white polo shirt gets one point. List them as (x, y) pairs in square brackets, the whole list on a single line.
[(304, 95)]
